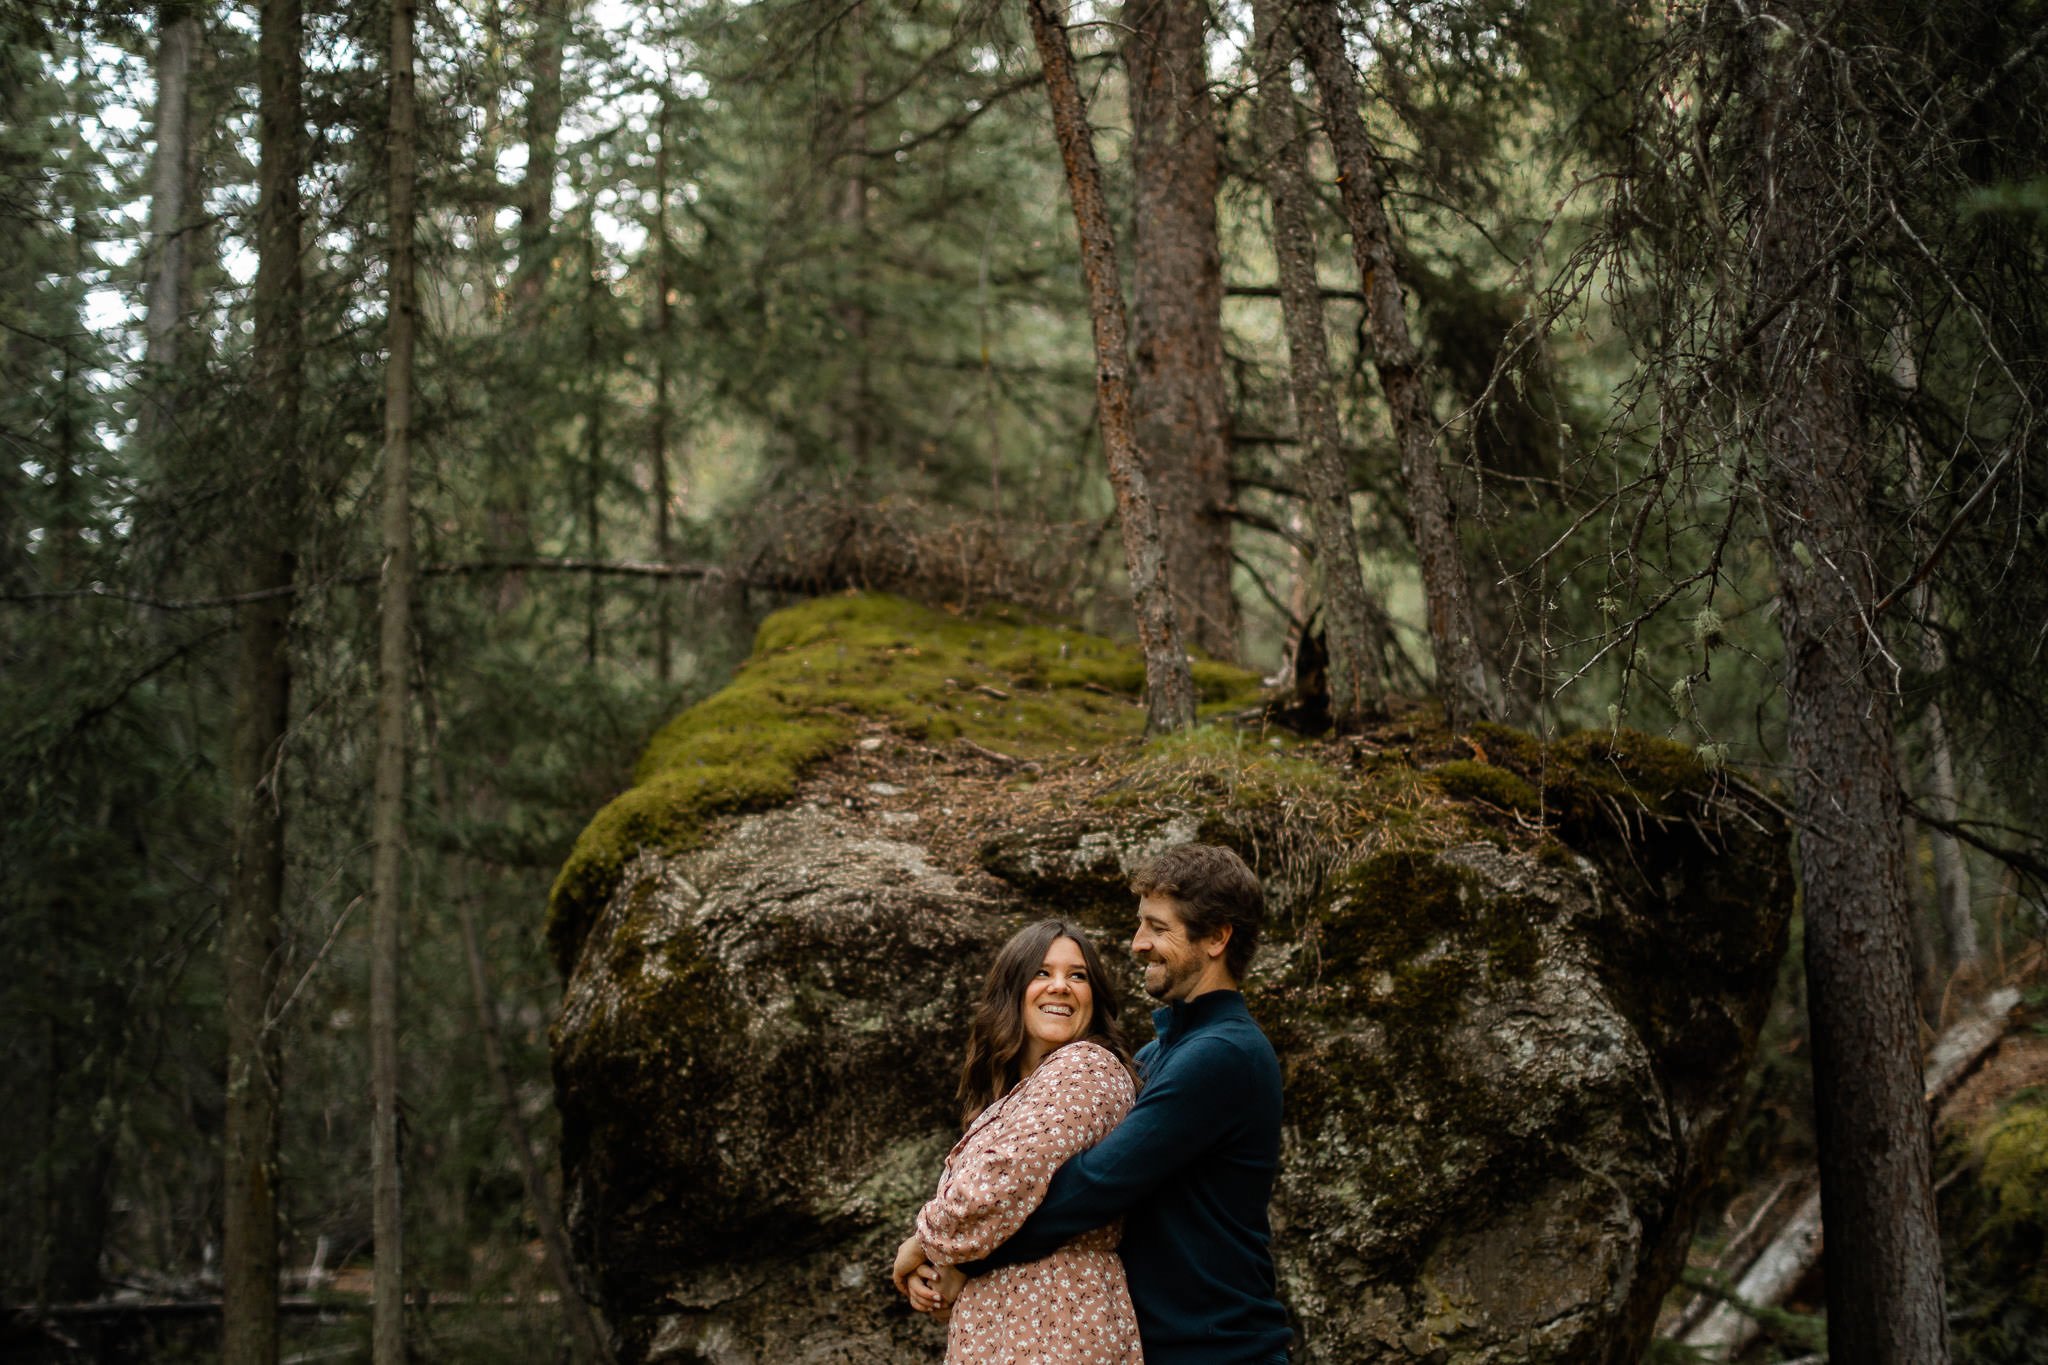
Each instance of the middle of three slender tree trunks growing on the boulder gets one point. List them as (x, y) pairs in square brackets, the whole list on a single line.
[(1357, 687)]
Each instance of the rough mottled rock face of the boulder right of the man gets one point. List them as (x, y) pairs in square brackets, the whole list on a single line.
[(1480, 1147)]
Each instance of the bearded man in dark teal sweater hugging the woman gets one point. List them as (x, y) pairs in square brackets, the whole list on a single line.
[(1191, 1170)]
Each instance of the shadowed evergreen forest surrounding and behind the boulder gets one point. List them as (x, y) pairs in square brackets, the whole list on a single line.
[(404, 414)]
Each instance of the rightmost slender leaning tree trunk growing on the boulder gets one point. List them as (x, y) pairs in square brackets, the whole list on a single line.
[(1463, 680)]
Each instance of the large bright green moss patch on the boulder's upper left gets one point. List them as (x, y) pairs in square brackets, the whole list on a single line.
[(818, 670)]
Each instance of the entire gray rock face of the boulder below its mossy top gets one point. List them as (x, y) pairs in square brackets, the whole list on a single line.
[(1508, 1071)]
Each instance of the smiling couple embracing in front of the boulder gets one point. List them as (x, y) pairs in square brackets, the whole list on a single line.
[(1105, 1210)]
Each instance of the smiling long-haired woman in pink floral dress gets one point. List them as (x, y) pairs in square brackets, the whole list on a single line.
[(1048, 1075)]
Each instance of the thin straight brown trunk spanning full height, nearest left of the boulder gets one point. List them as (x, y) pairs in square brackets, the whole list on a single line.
[(394, 652)]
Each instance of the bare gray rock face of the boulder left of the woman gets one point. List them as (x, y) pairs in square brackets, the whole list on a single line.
[(753, 1069)]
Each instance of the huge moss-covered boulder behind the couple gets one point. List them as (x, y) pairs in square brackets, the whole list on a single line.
[(1512, 985)]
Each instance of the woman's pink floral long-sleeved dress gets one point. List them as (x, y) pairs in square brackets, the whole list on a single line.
[(1070, 1309)]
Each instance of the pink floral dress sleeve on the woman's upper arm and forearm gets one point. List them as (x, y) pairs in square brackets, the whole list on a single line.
[(1000, 1176)]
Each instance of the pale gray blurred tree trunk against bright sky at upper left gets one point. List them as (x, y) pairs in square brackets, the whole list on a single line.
[(173, 200)]
